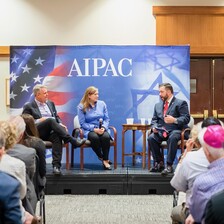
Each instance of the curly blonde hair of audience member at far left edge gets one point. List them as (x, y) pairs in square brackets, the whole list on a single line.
[(10, 132)]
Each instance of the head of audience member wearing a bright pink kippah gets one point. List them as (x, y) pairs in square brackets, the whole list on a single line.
[(212, 140)]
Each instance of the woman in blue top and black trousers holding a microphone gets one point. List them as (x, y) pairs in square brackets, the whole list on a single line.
[(94, 120)]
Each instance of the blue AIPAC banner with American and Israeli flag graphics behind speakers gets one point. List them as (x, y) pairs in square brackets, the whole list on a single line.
[(127, 78)]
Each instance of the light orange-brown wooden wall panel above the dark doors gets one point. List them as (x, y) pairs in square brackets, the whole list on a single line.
[(200, 27)]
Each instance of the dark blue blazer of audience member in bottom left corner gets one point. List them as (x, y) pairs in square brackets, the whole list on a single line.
[(10, 210)]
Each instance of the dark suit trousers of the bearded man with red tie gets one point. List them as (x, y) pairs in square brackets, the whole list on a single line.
[(155, 141)]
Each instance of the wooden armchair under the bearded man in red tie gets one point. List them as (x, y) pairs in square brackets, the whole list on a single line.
[(181, 142)]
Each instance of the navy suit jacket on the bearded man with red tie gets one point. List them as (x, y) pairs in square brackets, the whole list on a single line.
[(178, 109)]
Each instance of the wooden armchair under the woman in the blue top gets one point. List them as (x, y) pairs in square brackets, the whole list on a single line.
[(78, 132)]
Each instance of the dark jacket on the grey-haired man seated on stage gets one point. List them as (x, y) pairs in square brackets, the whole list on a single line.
[(32, 109)]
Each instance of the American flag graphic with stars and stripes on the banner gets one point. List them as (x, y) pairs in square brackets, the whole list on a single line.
[(37, 65)]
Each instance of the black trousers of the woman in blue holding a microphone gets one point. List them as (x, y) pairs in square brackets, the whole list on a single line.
[(100, 144)]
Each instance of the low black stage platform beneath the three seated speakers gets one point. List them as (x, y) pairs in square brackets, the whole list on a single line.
[(94, 179)]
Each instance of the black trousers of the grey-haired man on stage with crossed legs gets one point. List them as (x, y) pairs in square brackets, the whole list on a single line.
[(50, 130)]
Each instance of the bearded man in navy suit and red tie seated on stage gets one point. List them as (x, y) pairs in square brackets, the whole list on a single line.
[(170, 116)]
